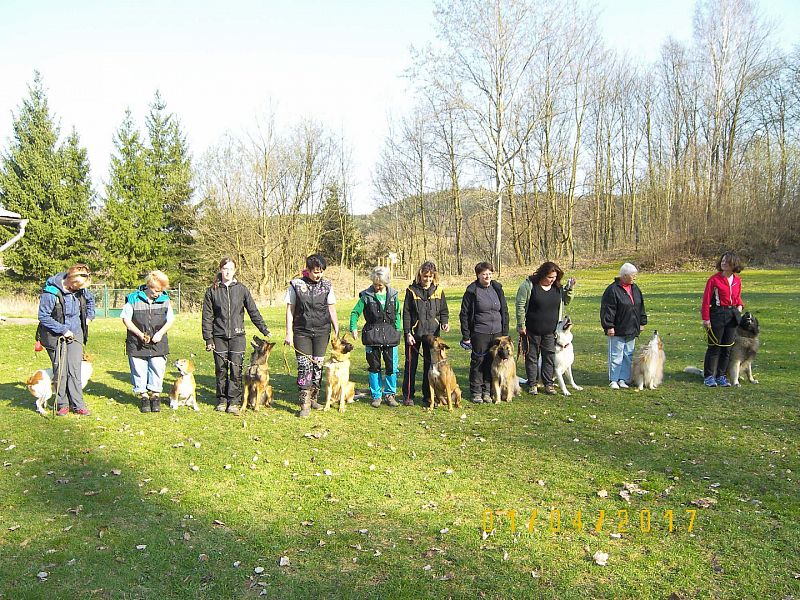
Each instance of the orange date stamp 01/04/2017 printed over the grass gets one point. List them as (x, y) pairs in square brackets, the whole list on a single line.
[(620, 522)]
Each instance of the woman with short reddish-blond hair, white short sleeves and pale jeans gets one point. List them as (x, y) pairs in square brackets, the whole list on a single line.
[(148, 316)]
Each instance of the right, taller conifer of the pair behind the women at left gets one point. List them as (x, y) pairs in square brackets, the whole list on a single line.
[(167, 158)]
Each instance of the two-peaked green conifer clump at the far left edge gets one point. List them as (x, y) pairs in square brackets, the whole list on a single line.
[(47, 184)]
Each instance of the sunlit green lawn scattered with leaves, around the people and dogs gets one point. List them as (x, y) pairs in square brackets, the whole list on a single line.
[(391, 503)]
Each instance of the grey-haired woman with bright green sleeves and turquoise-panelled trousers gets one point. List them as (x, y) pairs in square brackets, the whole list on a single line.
[(381, 335)]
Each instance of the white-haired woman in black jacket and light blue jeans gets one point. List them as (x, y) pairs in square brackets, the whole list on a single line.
[(622, 317)]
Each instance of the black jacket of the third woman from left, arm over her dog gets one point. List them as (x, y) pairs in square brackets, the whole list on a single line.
[(223, 312)]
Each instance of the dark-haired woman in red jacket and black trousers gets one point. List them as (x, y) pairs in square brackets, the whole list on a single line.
[(721, 309)]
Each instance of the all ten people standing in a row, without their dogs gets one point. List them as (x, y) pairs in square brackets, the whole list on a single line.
[(66, 307)]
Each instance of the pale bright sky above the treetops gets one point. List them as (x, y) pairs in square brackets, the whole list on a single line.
[(221, 64)]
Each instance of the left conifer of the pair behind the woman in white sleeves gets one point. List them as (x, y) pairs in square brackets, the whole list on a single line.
[(132, 221)]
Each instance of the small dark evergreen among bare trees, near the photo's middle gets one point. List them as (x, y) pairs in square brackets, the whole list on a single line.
[(340, 240)]
